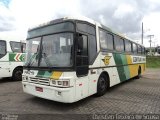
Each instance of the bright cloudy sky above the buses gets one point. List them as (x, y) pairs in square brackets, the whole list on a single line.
[(124, 16)]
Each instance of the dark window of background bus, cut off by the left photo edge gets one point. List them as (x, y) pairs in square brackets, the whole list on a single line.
[(3, 50)]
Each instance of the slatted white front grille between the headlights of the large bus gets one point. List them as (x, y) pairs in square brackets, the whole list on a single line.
[(36, 80)]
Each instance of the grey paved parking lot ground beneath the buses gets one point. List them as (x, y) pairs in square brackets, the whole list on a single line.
[(135, 96)]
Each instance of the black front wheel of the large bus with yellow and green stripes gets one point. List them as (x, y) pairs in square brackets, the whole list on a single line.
[(102, 85)]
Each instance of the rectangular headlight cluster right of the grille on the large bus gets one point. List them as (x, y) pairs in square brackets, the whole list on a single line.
[(60, 83)]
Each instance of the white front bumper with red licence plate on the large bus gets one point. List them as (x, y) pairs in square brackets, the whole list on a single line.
[(65, 95)]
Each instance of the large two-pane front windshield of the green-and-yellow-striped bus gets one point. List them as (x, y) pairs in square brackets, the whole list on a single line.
[(50, 51)]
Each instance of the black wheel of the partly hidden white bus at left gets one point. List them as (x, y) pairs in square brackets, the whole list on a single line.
[(17, 74)]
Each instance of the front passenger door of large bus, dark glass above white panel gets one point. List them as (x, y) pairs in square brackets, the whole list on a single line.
[(82, 67)]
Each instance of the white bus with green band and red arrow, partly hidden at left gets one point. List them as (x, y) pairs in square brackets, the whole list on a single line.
[(12, 55)]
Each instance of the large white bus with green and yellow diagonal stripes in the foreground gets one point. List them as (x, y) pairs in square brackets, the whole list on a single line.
[(69, 59)]
